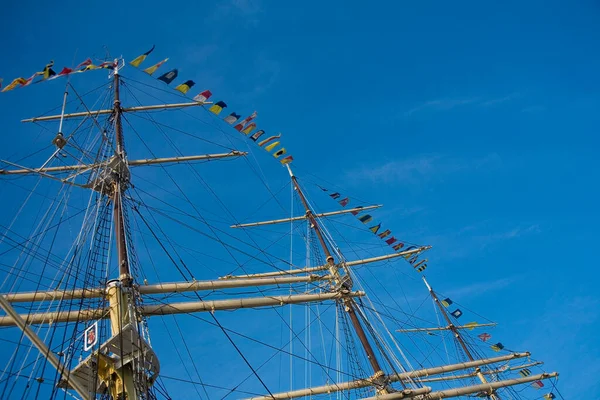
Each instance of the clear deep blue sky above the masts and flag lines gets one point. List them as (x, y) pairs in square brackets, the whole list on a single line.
[(474, 124)]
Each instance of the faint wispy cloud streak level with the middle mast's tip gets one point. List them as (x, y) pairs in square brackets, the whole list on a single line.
[(420, 168)]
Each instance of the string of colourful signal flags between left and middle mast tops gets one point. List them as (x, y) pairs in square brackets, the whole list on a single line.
[(247, 126)]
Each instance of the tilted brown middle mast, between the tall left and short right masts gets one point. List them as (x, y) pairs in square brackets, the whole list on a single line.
[(349, 303)]
